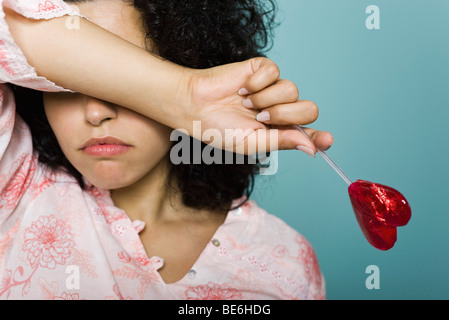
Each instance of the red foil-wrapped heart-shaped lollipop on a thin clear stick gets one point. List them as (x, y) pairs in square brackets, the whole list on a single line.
[(379, 209)]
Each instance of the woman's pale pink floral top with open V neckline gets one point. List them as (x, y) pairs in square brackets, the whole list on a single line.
[(60, 242)]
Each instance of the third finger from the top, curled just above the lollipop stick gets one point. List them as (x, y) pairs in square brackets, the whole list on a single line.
[(301, 112)]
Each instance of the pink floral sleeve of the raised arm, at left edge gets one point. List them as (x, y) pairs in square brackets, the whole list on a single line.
[(17, 161)]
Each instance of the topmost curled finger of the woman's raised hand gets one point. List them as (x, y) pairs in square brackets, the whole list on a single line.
[(264, 73)]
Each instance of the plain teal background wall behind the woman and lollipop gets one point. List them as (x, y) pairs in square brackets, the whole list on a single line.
[(384, 95)]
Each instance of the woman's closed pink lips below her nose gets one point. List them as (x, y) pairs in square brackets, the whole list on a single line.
[(107, 146)]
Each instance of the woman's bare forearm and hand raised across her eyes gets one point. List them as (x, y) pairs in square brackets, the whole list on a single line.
[(89, 60)]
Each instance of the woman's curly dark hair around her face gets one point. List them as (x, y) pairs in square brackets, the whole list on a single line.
[(196, 34)]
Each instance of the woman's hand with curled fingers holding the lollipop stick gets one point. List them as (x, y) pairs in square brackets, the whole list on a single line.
[(230, 97)]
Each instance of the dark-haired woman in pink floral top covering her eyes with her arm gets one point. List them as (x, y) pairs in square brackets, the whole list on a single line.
[(96, 199)]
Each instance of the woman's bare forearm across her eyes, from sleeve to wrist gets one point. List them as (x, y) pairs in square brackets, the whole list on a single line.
[(95, 62)]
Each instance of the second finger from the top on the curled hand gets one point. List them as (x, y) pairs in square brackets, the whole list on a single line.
[(283, 91)]
